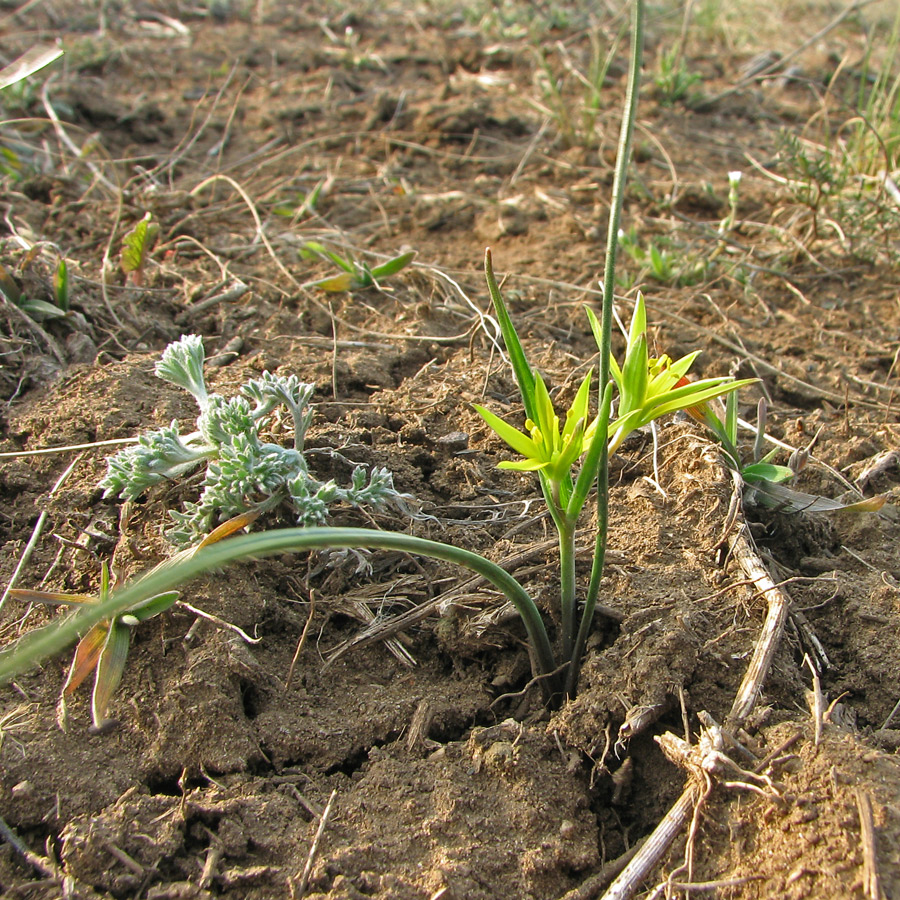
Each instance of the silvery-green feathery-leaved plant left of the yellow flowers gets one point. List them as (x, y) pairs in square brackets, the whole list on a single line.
[(244, 472)]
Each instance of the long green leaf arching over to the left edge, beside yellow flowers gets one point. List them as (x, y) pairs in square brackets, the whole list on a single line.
[(46, 641)]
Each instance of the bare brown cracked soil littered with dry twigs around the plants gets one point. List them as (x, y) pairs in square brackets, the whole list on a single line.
[(445, 128)]
